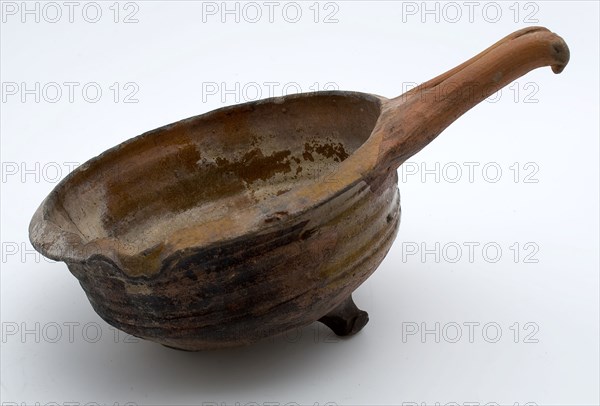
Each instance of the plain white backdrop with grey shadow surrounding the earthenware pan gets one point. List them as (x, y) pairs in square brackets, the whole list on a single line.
[(546, 123)]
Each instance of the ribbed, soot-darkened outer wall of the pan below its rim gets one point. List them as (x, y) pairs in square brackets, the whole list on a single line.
[(256, 286)]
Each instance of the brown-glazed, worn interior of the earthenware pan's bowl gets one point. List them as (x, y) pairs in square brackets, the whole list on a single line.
[(211, 166)]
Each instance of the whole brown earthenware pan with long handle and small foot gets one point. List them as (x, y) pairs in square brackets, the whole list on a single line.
[(251, 220)]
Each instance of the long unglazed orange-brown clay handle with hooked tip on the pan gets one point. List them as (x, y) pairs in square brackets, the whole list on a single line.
[(411, 121)]
